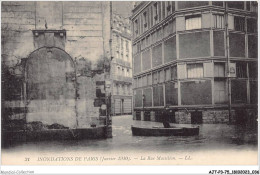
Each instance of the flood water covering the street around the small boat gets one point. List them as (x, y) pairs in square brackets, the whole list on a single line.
[(211, 137)]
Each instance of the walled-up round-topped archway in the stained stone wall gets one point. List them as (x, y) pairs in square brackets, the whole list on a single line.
[(50, 87)]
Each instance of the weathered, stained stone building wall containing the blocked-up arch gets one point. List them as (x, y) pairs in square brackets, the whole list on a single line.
[(55, 59)]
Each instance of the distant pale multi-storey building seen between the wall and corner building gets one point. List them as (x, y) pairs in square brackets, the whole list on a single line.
[(121, 66)]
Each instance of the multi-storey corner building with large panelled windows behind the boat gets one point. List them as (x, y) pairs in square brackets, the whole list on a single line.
[(180, 60)]
